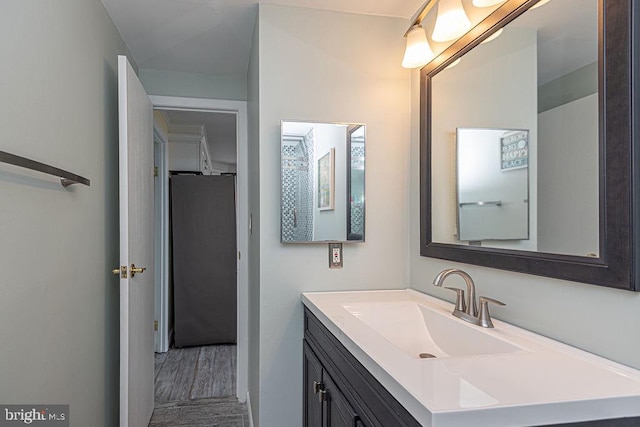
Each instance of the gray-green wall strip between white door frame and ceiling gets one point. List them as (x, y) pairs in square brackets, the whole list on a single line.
[(193, 85)]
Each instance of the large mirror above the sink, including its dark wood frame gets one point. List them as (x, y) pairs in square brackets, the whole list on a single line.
[(529, 144)]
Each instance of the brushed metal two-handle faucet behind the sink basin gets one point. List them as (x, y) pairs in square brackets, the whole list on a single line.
[(468, 309)]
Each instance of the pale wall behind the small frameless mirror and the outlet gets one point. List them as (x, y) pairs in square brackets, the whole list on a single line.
[(332, 67)]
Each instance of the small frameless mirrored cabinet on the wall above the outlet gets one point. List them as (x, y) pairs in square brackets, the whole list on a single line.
[(322, 182)]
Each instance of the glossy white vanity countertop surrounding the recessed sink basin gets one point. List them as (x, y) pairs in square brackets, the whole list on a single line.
[(546, 383)]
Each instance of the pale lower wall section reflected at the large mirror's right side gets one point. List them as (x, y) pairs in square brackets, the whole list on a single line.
[(568, 192)]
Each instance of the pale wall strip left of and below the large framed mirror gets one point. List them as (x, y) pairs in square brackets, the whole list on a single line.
[(600, 320)]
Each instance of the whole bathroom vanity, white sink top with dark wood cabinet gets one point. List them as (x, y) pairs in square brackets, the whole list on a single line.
[(399, 358)]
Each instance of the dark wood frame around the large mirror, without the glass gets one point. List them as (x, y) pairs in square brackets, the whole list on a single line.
[(619, 99)]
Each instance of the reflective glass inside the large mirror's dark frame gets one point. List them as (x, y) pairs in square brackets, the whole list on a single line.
[(539, 75)]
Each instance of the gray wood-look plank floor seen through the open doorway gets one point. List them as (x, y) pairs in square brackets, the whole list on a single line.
[(196, 386)]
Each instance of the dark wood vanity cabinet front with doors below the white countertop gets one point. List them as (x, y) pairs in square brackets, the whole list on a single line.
[(338, 390)]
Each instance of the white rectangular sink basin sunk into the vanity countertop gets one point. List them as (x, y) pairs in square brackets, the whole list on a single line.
[(422, 332)]
